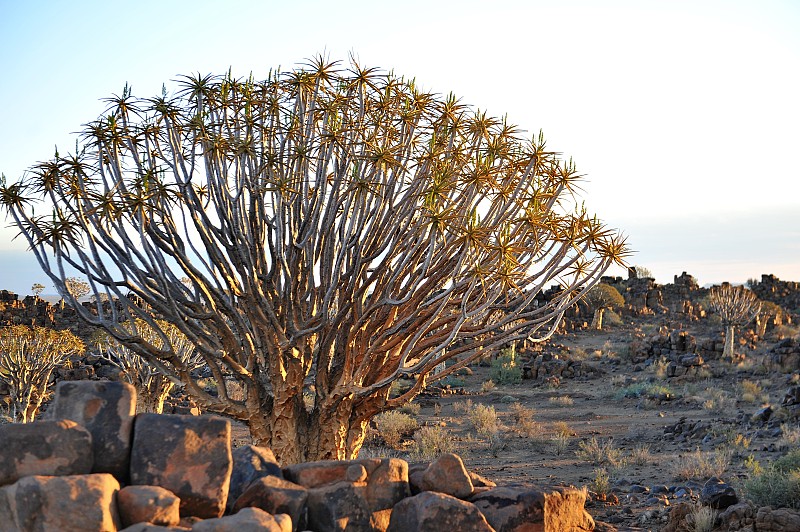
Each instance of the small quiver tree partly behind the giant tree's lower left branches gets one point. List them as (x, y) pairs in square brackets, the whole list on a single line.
[(153, 385)]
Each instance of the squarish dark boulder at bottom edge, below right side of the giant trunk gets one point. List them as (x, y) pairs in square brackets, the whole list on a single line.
[(339, 506)]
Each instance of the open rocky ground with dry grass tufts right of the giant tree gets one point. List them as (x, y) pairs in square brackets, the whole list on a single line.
[(640, 440)]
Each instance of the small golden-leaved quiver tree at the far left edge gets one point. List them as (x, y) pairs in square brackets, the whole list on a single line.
[(28, 356)]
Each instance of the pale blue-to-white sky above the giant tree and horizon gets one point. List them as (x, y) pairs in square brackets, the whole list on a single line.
[(683, 115)]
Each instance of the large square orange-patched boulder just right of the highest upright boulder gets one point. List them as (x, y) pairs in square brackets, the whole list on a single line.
[(188, 455)]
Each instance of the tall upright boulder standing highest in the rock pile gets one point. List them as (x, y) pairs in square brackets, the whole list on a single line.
[(106, 409)]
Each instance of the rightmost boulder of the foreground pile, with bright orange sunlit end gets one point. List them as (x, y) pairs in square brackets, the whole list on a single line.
[(517, 508)]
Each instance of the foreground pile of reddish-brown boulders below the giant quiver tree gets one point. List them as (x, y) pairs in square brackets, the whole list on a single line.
[(94, 465)]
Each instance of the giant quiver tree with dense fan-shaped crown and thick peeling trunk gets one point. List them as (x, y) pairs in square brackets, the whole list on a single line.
[(338, 228)]
